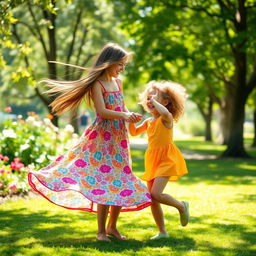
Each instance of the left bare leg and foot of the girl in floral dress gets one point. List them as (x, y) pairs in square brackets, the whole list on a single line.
[(102, 217)]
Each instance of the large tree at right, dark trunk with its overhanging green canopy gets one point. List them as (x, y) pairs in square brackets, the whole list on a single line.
[(170, 32)]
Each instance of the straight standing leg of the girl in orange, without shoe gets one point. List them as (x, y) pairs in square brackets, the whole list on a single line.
[(157, 212)]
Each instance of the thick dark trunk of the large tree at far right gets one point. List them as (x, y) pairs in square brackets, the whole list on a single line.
[(238, 24)]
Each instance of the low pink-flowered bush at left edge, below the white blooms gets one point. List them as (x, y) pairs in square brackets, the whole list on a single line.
[(13, 176)]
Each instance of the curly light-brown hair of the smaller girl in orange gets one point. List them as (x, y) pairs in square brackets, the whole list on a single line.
[(168, 90)]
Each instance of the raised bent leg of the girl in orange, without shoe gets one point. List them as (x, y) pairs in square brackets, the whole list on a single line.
[(157, 194)]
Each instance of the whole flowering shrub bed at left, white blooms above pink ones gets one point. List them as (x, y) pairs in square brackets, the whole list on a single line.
[(29, 144)]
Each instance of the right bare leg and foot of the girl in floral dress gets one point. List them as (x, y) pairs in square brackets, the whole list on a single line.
[(111, 228)]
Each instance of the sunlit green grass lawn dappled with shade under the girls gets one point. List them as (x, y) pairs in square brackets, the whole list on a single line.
[(222, 203)]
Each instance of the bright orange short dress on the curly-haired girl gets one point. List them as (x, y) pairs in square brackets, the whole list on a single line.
[(162, 157)]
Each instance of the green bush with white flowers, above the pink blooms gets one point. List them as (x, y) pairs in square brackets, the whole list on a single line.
[(34, 141)]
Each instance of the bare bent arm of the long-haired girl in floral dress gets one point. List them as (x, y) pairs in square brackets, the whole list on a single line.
[(107, 113)]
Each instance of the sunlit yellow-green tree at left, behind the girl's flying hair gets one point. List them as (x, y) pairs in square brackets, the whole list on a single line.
[(67, 31)]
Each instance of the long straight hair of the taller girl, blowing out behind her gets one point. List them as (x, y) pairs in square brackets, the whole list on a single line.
[(71, 93)]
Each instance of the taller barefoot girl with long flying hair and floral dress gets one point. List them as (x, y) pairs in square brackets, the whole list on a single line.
[(96, 173)]
